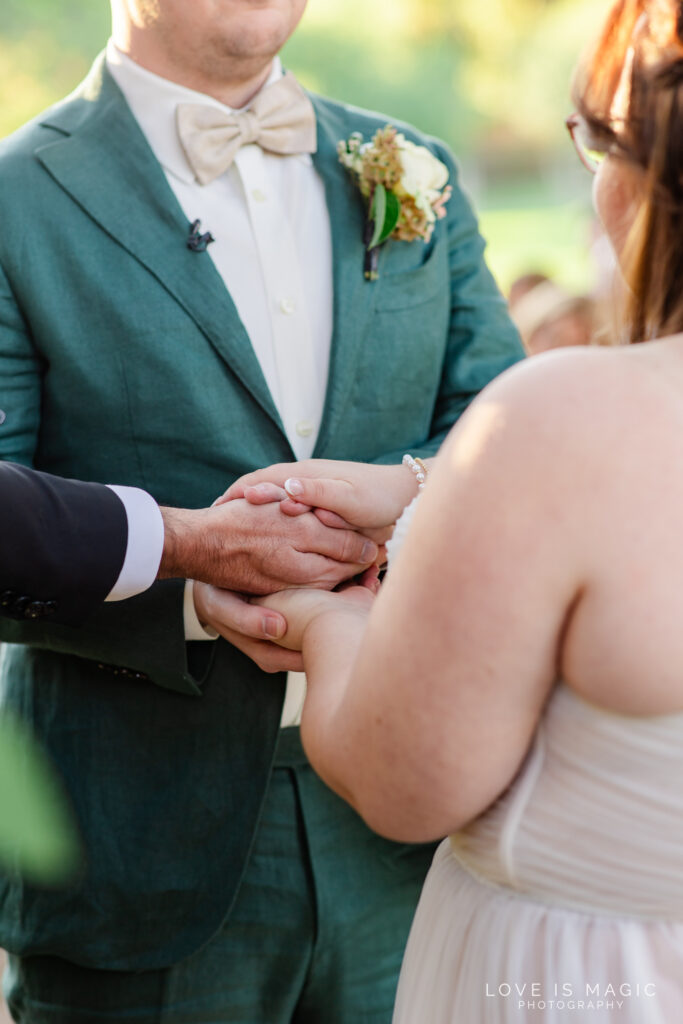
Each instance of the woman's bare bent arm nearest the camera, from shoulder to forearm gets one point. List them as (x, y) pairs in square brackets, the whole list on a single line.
[(422, 719)]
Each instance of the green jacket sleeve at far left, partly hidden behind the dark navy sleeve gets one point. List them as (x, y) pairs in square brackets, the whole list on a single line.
[(143, 637)]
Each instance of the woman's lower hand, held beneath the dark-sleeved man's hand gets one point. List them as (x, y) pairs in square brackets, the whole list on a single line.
[(301, 608)]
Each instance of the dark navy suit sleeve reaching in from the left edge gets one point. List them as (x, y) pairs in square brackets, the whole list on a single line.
[(63, 545)]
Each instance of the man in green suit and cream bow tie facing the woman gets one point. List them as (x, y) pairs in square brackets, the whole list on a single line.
[(223, 881)]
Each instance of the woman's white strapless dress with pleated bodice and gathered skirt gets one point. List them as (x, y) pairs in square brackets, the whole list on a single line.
[(565, 902)]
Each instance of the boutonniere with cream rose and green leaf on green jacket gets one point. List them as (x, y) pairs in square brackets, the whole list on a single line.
[(405, 186)]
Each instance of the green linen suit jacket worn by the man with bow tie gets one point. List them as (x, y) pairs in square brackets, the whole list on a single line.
[(123, 360)]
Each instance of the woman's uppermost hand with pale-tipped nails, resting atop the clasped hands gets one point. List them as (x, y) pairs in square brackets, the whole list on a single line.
[(364, 496)]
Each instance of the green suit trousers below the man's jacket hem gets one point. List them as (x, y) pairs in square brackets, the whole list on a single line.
[(317, 933)]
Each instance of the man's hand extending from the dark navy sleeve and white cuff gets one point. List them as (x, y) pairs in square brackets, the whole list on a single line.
[(255, 550)]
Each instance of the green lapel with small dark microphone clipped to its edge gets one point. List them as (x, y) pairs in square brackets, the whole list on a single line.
[(104, 161)]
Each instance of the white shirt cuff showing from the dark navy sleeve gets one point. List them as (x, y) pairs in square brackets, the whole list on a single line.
[(146, 543)]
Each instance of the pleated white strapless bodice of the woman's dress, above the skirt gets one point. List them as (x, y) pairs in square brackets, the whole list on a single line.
[(595, 818)]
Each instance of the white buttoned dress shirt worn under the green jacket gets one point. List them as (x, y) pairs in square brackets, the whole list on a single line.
[(273, 248)]
